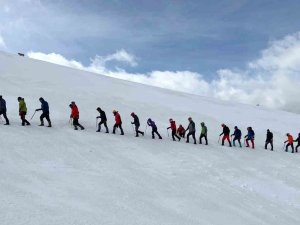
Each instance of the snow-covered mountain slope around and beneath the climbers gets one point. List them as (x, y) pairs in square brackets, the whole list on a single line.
[(61, 176)]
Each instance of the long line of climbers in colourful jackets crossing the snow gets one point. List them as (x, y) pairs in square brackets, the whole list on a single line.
[(176, 133)]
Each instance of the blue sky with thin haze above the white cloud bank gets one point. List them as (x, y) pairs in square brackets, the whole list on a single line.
[(201, 36)]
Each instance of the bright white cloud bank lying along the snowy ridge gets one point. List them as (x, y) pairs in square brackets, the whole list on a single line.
[(272, 80)]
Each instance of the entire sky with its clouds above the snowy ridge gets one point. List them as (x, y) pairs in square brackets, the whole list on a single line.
[(240, 50)]
